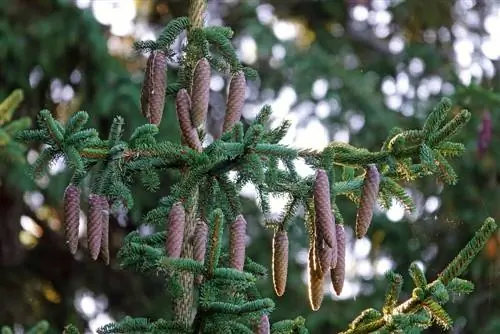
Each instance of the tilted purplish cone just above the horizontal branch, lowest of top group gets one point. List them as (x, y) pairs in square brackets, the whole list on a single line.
[(189, 133)]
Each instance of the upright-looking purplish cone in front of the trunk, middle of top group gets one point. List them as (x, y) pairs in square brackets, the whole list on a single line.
[(200, 92)]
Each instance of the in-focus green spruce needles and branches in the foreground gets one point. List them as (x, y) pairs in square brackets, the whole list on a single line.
[(227, 295)]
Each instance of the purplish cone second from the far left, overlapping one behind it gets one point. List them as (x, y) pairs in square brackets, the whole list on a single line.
[(94, 225)]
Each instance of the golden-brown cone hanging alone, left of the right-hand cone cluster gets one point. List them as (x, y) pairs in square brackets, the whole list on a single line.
[(280, 261)]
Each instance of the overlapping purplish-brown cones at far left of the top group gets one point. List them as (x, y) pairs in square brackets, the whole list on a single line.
[(154, 86)]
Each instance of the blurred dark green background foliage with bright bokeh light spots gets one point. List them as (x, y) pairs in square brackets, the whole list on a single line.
[(340, 70)]
